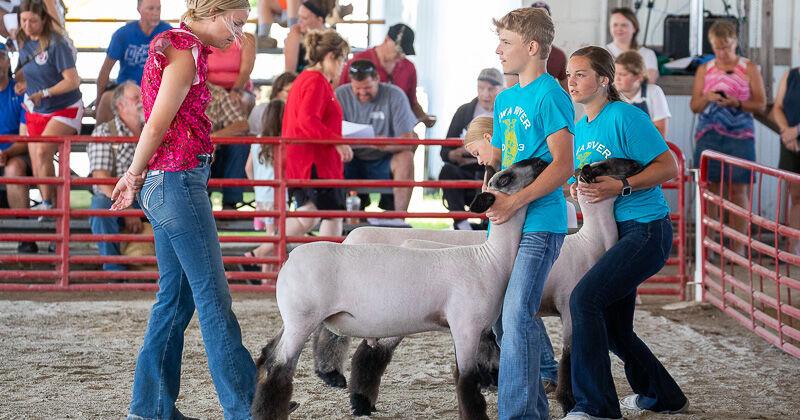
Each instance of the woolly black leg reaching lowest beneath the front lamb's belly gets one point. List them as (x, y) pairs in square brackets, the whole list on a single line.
[(366, 371)]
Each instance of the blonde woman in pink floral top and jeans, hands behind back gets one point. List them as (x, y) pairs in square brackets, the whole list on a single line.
[(170, 173)]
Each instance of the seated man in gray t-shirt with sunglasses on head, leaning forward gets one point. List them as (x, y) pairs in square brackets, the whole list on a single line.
[(365, 100)]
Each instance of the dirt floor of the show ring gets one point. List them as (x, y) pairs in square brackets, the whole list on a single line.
[(72, 356)]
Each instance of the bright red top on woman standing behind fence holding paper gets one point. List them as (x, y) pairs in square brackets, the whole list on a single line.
[(312, 111)]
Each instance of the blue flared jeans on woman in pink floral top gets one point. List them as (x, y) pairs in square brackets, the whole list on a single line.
[(190, 276)]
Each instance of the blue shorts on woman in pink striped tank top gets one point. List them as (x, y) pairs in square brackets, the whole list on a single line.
[(740, 148)]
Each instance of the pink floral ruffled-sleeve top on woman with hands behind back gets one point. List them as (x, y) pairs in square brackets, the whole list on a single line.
[(189, 134)]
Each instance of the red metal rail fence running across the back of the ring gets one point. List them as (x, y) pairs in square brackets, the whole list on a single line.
[(64, 275)]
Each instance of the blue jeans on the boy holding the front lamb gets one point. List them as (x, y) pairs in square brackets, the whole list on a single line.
[(520, 394)]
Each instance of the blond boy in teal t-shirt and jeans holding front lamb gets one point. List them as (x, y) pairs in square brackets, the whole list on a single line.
[(531, 119)]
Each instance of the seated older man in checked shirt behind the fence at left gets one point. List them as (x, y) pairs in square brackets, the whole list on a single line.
[(112, 160)]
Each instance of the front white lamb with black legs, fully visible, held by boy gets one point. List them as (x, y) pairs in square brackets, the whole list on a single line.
[(378, 291)]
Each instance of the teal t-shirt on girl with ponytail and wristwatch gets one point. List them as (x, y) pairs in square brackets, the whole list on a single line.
[(623, 131)]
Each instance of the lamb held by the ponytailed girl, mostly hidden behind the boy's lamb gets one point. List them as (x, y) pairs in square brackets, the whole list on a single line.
[(579, 253)]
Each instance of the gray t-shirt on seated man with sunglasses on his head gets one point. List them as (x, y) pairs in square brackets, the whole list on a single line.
[(389, 114)]
